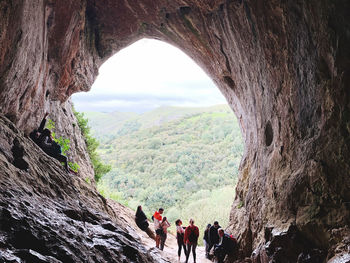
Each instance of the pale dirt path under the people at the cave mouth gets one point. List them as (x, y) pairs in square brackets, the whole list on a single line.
[(170, 249)]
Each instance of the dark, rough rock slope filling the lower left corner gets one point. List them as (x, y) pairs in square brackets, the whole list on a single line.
[(48, 215)]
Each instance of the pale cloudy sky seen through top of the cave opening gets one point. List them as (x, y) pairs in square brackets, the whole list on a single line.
[(146, 75)]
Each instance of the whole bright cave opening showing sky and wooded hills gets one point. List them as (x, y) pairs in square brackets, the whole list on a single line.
[(167, 132)]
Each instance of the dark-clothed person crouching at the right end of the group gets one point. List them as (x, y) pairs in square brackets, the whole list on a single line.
[(226, 245)]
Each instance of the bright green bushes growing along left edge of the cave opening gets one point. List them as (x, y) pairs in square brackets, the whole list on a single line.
[(92, 144)]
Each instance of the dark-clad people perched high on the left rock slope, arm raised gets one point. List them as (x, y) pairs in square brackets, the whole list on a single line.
[(43, 138)]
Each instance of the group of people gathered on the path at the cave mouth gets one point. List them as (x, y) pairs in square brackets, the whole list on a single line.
[(216, 241)]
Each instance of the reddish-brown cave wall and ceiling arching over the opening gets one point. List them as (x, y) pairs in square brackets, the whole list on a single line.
[(283, 66)]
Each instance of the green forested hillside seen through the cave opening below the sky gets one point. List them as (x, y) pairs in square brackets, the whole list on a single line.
[(183, 159)]
